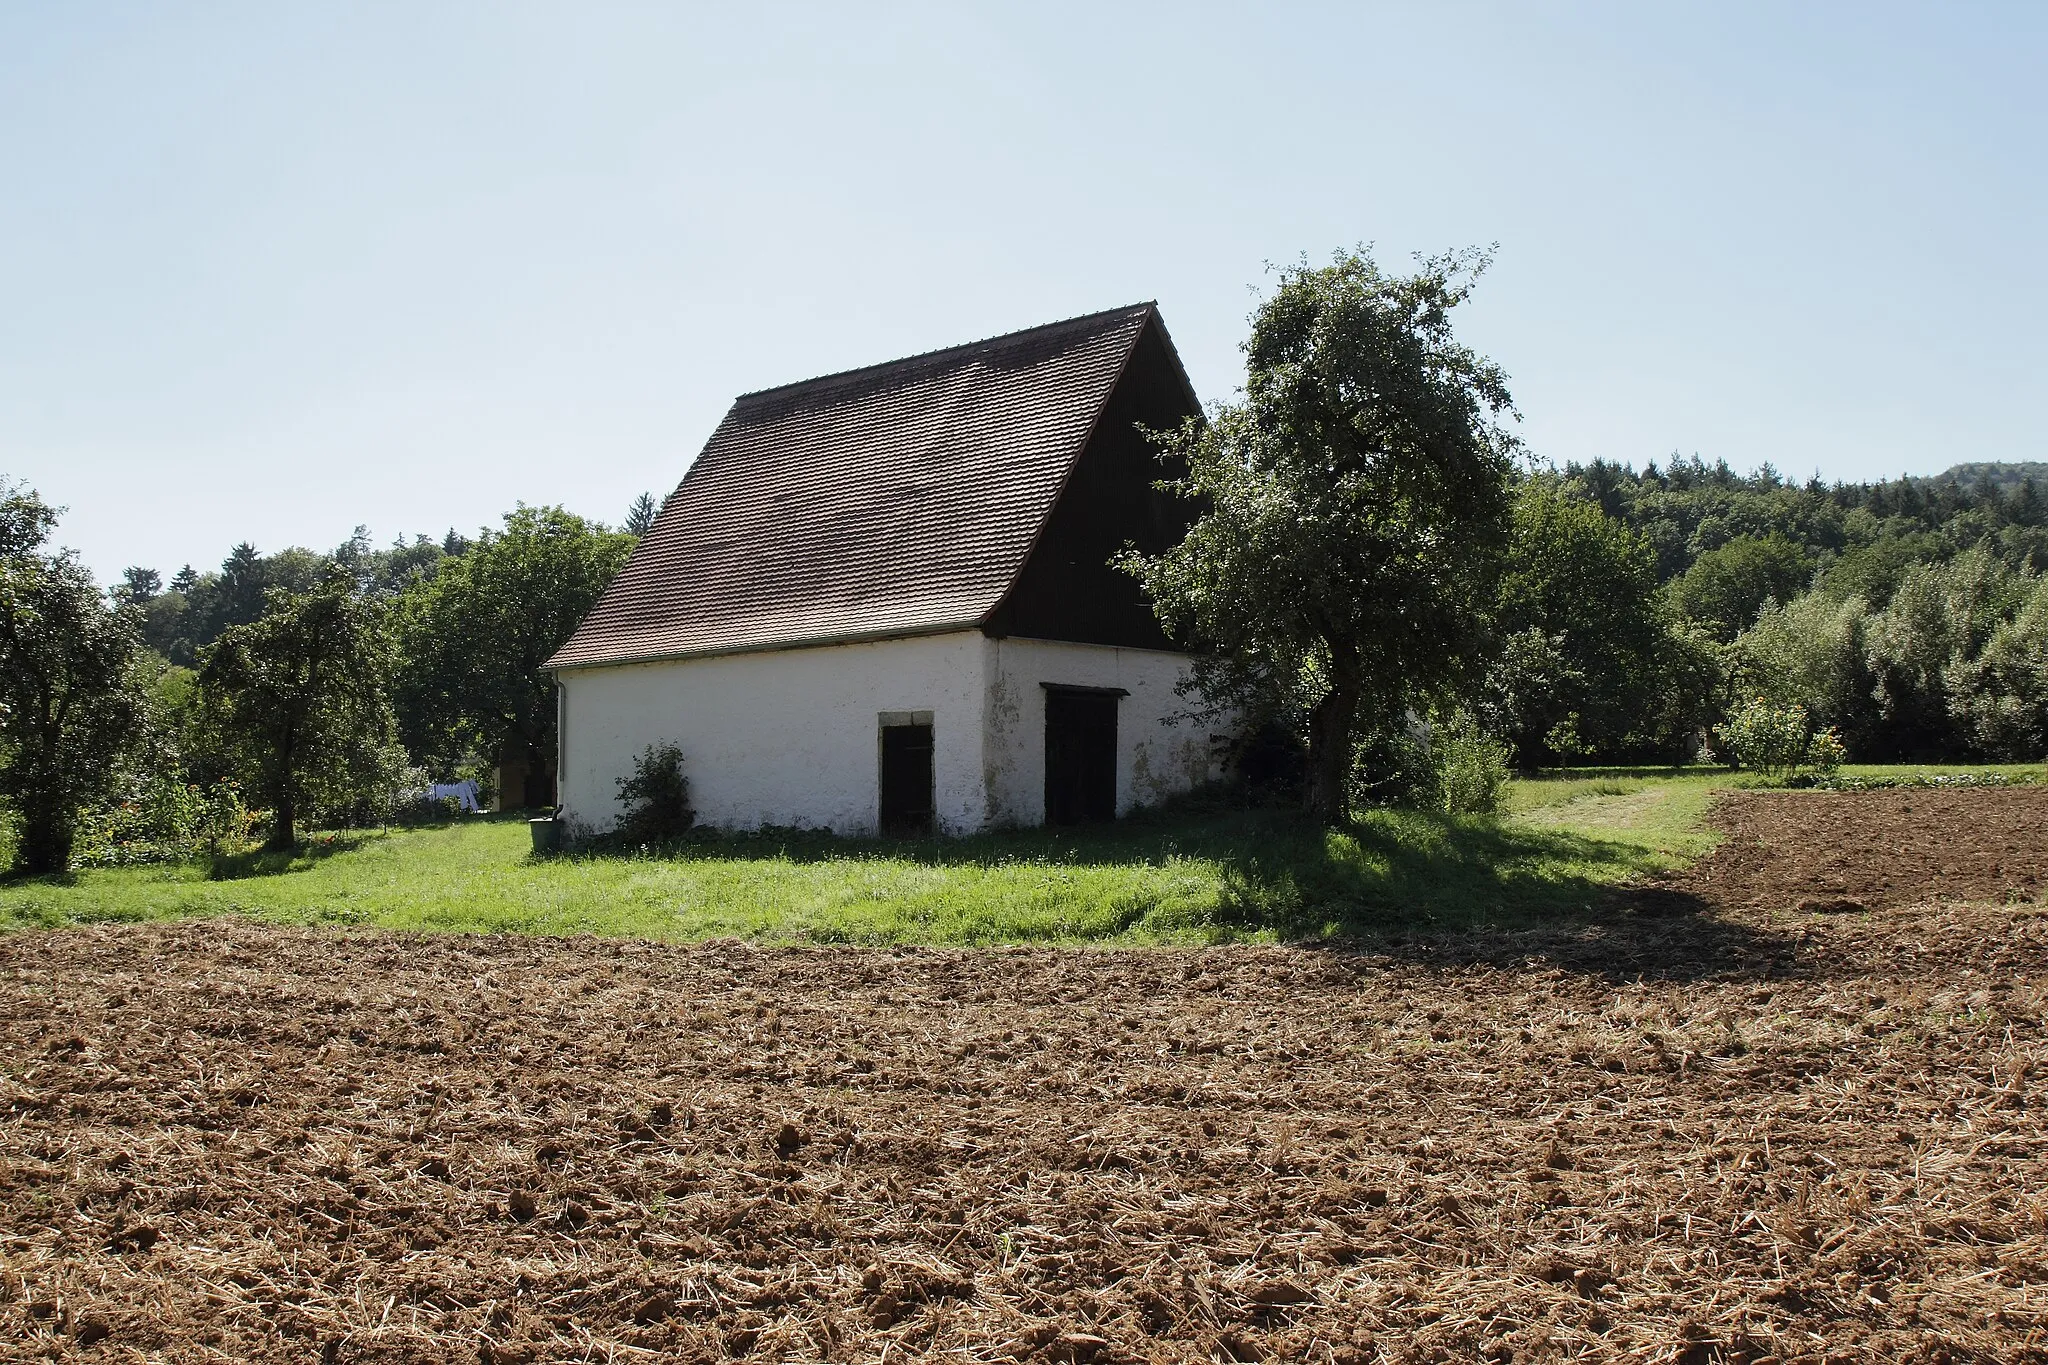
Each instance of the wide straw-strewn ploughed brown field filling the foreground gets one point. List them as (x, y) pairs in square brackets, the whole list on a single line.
[(1654, 1139)]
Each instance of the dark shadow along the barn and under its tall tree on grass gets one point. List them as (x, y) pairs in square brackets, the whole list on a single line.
[(1398, 883)]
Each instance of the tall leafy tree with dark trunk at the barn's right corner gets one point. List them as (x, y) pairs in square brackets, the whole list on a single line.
[(1357, 504)]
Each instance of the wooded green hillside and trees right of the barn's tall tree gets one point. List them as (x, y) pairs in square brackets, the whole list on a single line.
[(1639, 609)]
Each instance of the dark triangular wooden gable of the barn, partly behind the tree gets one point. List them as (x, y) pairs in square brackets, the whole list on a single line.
[(1068, 588)]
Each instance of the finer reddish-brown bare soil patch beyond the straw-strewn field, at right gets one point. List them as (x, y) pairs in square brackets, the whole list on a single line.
[(1877, 850)]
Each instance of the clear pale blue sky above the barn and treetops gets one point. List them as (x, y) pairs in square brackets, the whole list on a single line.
[(269, 271)]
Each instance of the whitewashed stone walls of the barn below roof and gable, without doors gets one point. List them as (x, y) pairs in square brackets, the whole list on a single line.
[(792, 738)]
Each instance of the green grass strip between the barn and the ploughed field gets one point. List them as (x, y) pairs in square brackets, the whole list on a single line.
[(1170, 877)]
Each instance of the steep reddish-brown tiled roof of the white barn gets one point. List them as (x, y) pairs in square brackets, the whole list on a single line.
[(892, 500)]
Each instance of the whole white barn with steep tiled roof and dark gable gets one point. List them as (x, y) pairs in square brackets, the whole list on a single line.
[(884, 601)]
